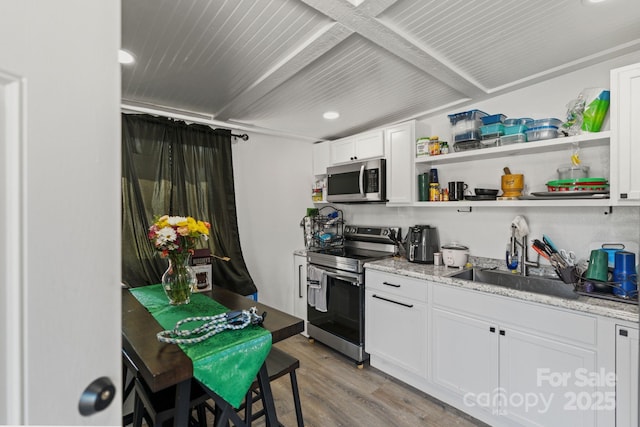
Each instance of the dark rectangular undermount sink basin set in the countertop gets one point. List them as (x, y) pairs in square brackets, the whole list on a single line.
[(535, 284)]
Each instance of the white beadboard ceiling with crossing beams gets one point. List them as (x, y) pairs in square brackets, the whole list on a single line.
[(277, 65)]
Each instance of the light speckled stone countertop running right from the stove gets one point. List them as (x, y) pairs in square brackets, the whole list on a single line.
[(440, 274)]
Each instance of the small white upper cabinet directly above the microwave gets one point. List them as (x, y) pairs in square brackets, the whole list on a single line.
[(368, 145)]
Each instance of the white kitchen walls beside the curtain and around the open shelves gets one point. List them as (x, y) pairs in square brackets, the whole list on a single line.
[(273, 182)]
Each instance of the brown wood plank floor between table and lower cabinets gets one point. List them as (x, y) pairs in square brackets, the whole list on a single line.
[(334, 392)]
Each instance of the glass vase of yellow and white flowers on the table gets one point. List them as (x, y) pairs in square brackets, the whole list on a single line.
[(175, 237)]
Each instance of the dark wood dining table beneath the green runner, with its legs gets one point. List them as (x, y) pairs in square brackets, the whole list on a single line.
[(163, 365)]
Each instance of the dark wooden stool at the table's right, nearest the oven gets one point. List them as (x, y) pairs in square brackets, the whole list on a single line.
[(278, 364)]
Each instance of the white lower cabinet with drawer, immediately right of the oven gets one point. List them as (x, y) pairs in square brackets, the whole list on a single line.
[(396, 321)]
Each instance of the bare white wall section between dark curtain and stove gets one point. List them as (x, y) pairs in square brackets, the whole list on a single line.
[(273, 189)]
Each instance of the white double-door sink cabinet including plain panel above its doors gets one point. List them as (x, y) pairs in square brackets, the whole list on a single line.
[(515, 360)]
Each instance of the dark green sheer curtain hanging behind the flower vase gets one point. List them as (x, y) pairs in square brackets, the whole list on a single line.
[(170, 167)]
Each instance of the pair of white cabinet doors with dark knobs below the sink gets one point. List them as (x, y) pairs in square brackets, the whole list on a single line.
[(511, 373)]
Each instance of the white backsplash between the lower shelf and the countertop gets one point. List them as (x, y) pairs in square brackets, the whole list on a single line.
[(486, 231)]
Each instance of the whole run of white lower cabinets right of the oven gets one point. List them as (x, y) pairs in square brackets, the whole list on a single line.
[(502, 360)]
